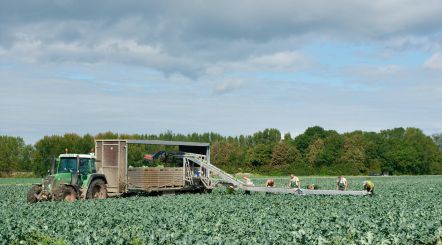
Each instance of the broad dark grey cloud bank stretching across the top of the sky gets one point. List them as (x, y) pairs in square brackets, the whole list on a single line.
[(188, 37)]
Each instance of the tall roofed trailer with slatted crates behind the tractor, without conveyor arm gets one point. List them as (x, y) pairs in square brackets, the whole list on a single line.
[(112, 161)]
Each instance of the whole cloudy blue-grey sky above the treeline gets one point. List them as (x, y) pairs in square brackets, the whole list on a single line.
[(231, 67)]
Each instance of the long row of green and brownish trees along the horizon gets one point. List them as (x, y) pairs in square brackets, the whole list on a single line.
[(315, 152)]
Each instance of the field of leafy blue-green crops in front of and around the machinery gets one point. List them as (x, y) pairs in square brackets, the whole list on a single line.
[(404, 210)]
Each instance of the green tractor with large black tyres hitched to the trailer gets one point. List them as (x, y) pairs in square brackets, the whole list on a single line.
[(73, 177)]
